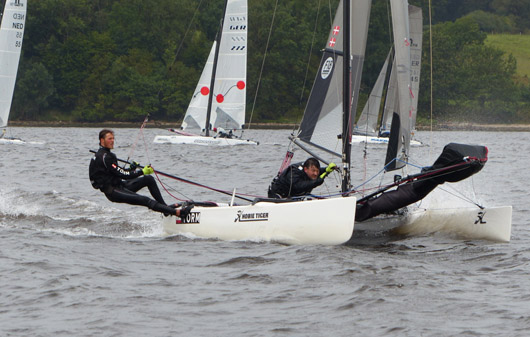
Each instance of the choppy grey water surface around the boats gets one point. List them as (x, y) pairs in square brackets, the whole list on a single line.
[(74, 264)]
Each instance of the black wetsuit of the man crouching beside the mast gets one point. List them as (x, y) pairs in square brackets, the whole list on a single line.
[(293, 182)]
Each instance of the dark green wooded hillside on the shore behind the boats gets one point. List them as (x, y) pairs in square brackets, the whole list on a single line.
[(119, 60)]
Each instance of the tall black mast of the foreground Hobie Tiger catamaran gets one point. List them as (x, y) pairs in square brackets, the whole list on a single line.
[(346, 146)]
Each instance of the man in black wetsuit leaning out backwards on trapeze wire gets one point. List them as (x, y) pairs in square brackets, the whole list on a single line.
[(120, 185)]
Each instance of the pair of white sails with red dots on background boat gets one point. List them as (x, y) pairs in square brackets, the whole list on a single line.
[(229, 89)]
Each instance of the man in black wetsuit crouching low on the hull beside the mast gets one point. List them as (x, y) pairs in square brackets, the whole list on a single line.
[(299, 179)]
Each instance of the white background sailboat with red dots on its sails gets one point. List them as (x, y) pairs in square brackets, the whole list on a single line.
[(218, 103)]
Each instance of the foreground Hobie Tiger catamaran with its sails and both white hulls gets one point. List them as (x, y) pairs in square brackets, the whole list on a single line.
[(325, 132)]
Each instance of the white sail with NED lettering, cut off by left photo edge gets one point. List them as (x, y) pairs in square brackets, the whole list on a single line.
[(11, 35)]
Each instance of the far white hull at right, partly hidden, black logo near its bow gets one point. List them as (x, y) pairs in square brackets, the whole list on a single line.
[(493, 224)]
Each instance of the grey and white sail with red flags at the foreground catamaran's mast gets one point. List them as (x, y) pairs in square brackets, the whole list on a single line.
[(322, 123)]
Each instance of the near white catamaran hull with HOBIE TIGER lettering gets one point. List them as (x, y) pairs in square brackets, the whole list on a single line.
[(326, 222)]
